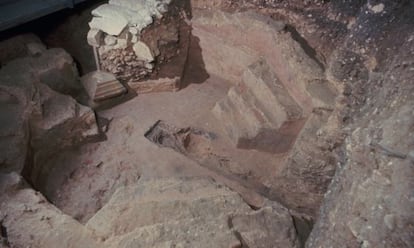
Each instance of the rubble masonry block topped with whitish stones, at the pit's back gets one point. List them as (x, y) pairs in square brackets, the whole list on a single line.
[(133, 37)]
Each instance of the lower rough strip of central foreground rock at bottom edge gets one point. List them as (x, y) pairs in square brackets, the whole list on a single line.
[(193, 232)]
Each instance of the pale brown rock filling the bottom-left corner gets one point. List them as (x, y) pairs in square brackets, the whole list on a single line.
[(22, 209)]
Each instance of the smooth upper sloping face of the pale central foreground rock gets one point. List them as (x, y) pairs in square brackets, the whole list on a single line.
[(132, 207)]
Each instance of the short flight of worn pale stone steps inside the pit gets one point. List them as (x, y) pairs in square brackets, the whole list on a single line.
[(258, 113)]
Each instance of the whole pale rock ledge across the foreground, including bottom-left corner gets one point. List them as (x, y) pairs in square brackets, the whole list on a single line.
[(181, 212)]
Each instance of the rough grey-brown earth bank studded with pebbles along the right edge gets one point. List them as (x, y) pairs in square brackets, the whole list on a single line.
[(370, 201)]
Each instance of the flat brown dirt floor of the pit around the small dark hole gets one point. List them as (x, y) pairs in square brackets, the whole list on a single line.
[(84, 178)]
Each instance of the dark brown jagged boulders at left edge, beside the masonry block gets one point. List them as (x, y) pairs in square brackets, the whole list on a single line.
[(36, 119)]
